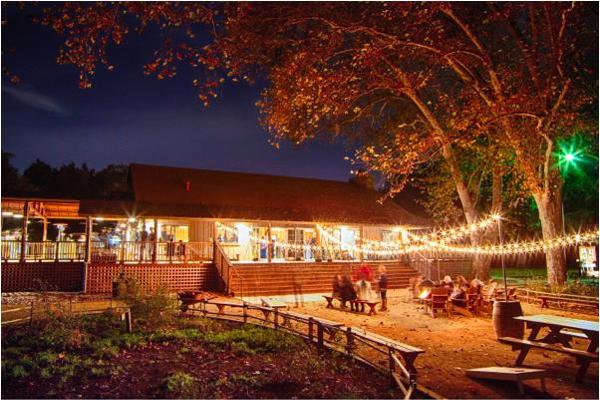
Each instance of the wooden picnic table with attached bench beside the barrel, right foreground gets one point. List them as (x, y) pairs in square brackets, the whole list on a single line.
[(562, 330)]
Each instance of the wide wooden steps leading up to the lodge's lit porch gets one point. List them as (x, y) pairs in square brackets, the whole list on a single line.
[(295, 278)]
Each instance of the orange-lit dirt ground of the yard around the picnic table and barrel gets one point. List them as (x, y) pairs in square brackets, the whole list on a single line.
[(453, 345)]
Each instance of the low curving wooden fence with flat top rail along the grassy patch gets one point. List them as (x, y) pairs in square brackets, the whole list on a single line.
[(390, 357)]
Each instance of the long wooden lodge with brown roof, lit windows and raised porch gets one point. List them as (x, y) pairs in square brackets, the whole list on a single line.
[(246, 234)]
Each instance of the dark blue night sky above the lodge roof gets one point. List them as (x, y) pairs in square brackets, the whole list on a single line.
[(129, 117)]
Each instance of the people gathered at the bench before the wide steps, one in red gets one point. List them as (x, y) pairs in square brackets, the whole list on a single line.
[(361, 289)]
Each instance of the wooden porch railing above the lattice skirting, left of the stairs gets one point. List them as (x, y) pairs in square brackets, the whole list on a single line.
[(102, 251)]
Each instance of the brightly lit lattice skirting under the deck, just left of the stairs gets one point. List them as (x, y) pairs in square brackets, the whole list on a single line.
[(173, 277)]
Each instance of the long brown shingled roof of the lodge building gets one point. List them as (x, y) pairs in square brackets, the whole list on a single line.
[(183, 192)]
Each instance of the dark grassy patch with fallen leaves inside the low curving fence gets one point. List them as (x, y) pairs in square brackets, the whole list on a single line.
[(171, 356)]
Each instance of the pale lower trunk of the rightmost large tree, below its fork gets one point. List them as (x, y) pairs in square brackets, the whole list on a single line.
[(550, 210)]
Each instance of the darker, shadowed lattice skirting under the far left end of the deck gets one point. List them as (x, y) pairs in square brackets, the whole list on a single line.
[(64, 277)]
